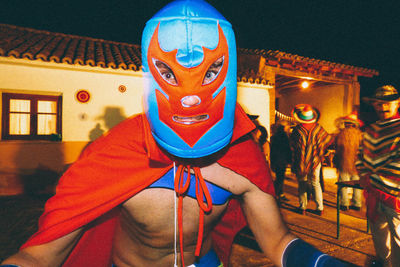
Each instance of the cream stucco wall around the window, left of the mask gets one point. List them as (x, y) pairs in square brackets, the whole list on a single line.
[(107, 104)]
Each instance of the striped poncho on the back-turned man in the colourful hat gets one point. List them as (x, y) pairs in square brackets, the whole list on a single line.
[(308, 148)]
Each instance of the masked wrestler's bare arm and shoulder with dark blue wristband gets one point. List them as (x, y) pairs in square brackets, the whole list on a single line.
[(266, 223)]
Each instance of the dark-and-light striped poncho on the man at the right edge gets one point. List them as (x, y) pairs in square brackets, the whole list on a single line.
[(379, 156)]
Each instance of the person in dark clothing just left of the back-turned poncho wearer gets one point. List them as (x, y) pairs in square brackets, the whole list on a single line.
[(280, 157)]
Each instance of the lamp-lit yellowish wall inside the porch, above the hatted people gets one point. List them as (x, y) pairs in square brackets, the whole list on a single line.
[(331, 101)]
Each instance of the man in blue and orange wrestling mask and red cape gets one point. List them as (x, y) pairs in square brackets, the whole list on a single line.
[(172, 186)]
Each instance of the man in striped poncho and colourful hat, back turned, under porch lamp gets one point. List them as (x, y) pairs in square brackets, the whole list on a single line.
[(309, 141)]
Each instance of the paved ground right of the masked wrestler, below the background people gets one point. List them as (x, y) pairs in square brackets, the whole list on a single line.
[(353, 246)]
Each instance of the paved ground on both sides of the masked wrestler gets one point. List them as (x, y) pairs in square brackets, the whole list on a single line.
[(18, 220)]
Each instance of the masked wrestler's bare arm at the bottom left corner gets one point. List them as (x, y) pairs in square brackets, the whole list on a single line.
[(49, 254)]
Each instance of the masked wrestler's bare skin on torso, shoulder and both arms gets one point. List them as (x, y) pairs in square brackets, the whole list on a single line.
[(145, 235)]
